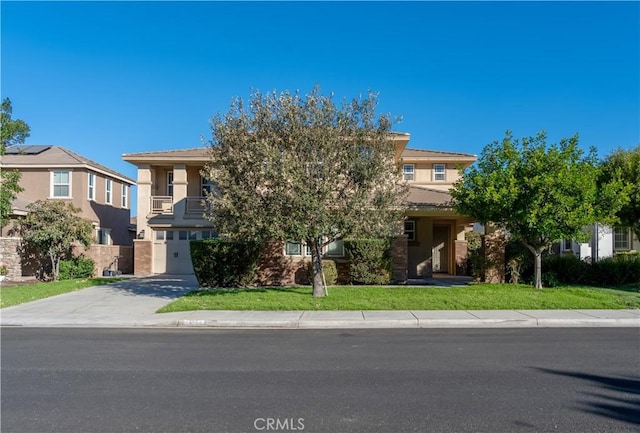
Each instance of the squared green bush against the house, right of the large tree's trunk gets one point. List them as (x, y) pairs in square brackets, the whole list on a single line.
[(370, 260)]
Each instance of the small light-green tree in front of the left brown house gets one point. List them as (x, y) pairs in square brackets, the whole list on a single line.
[(52, 228)]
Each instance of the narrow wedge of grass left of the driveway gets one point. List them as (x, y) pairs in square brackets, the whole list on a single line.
[(10, 296)]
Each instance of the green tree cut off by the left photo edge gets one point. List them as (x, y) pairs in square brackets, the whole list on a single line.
[(11, 132)]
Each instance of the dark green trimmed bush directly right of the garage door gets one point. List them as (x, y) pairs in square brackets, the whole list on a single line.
[(225, 262)]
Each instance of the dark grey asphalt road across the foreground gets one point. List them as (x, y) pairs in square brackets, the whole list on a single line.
[(422, 380)]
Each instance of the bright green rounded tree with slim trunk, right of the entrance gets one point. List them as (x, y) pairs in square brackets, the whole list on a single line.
[(537, 193)]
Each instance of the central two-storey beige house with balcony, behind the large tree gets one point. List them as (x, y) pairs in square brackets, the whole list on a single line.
[(170, 213)]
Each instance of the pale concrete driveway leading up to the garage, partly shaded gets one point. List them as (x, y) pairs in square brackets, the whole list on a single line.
[(129, 302)]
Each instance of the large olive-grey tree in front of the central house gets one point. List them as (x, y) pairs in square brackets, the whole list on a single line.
[(293, 167)]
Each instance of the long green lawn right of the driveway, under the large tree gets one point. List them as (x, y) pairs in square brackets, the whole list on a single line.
[(473, 297)]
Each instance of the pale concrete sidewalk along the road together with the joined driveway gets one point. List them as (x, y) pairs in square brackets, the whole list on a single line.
[(134, 302)]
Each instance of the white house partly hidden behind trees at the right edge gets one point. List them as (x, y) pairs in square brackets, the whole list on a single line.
[(604, 241)]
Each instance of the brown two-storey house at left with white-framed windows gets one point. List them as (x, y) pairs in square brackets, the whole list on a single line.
[(55, 173)]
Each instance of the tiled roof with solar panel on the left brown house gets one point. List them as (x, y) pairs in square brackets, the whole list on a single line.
[(30, 156)]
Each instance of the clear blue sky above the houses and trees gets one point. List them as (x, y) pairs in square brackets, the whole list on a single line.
[(107, 78)]
